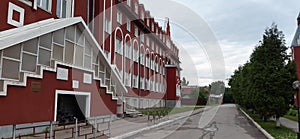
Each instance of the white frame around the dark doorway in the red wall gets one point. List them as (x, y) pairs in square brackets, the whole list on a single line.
[(88, 101)]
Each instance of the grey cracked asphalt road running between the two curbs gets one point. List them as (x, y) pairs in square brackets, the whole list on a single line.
[(221, 122)]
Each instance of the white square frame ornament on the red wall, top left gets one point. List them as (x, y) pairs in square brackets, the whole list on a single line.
[(11, 8)]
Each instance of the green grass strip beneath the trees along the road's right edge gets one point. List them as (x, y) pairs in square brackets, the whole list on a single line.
[(270, 126)]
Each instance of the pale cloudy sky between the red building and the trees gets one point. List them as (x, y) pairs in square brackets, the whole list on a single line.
[(234, 26)]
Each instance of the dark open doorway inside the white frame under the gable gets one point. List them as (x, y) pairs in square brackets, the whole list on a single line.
[(70, 106)]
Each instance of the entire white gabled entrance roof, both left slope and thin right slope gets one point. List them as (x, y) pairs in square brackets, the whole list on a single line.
[(18, 35)]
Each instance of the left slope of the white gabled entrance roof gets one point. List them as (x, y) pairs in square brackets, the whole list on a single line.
[(17, 35)]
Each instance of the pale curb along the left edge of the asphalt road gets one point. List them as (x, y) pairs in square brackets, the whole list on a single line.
[(129, 134)]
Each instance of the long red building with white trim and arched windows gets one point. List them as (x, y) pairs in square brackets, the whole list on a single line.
[(96, 57)]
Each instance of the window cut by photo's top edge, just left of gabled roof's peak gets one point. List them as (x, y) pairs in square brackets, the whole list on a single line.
[(64, 8)]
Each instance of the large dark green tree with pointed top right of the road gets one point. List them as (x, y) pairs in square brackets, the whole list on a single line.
[(264, 83)]
